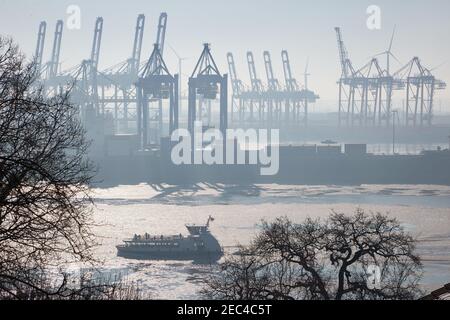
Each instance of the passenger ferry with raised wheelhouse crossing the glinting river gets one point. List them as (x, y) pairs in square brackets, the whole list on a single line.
[(199, 245)]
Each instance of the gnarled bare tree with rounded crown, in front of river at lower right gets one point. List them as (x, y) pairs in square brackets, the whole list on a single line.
[(363, 256)]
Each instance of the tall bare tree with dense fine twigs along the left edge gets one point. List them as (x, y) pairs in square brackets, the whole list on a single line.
[(45, 211)]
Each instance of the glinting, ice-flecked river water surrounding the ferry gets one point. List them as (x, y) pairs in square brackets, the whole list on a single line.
[(238, 210)]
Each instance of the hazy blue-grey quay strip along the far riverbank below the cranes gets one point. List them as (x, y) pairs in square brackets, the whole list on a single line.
[(348, 164)]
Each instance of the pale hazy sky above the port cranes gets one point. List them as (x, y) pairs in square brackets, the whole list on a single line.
[(304, 28)]
